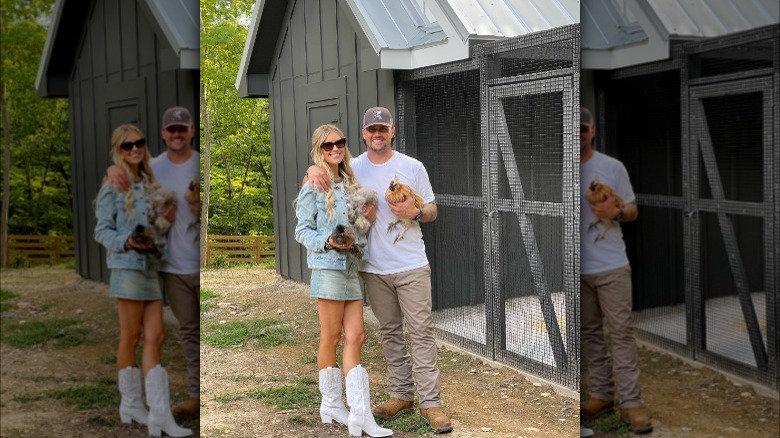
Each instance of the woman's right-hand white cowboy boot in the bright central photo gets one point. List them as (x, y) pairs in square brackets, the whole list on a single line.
[(359, 398)]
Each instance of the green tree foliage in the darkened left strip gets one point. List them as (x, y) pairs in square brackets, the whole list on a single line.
[(40, 198)]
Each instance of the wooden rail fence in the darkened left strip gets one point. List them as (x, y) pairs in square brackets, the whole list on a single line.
[(40, 249)]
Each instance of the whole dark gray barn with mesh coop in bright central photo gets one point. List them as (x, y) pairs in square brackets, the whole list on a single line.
[(493, 119)]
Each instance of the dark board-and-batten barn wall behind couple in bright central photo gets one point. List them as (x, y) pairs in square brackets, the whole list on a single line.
[(323, 72)]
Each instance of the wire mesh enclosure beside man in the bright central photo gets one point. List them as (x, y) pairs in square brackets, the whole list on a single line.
[(497, 136)]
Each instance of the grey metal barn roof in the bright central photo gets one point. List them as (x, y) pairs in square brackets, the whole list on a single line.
[(408, 34)]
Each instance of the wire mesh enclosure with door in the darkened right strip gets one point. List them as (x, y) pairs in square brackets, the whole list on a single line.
[(699, 137)]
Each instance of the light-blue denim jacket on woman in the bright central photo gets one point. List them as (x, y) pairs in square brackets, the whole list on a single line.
[(315, 226)]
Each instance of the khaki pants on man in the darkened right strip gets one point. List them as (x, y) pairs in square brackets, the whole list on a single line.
[(606, 301)]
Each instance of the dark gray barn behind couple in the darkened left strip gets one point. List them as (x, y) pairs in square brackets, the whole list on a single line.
[(117, 61)]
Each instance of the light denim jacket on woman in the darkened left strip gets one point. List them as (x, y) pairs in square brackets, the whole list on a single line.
[(113, 229)]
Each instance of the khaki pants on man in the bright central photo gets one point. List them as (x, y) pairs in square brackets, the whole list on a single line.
[(399, 299)]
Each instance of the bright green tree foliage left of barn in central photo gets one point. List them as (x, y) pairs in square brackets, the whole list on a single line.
[(239, 140)]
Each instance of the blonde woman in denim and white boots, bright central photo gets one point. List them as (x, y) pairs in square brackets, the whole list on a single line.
[(335, 284)]
